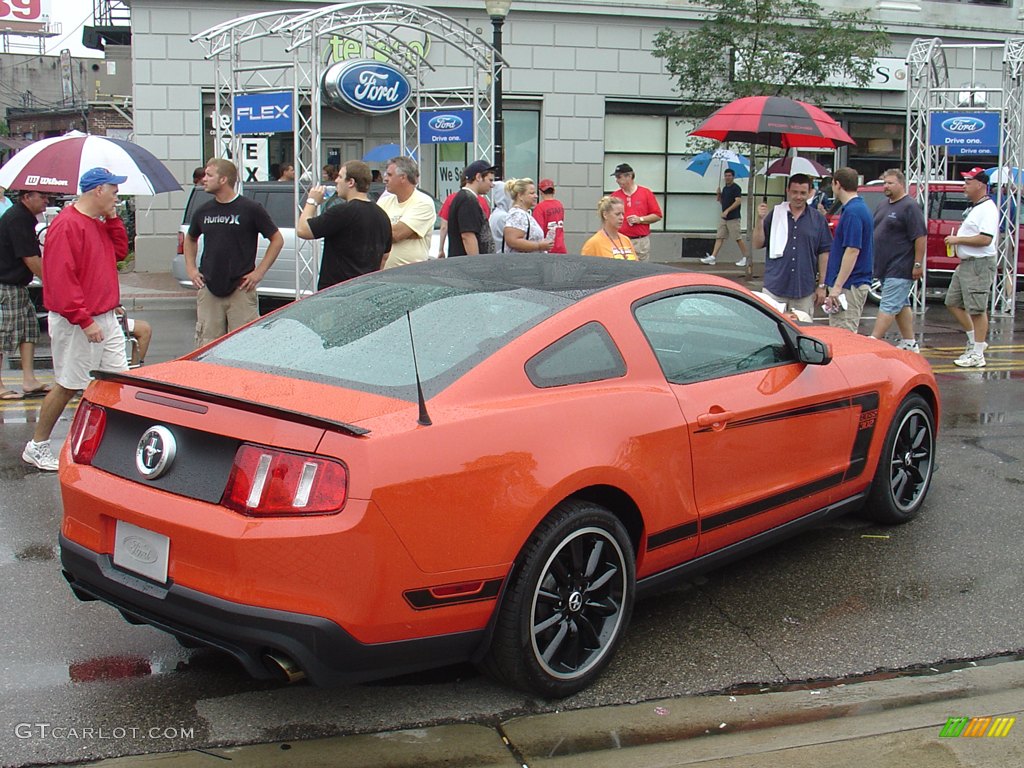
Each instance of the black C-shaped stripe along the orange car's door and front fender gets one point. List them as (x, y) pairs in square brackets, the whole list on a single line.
[(869, 404)]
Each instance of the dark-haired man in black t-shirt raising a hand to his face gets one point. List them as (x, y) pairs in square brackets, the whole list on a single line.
[(357, 234)]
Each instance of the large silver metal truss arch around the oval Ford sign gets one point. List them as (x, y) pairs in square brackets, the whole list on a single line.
[(246, 61)]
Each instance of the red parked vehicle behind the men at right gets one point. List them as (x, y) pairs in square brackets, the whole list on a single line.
[(947, 207)]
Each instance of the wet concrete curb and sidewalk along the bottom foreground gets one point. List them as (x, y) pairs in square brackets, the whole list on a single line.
[(894, 723)]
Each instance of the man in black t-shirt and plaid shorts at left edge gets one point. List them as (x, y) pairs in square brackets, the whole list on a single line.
[(20, 260)]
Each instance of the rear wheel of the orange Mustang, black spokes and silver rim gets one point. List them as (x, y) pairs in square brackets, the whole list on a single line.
[(568, 604)]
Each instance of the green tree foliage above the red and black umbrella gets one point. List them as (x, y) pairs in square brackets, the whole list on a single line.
[(772, 48)]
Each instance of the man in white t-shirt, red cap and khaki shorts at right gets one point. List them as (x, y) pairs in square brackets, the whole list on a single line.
[(969, 290)]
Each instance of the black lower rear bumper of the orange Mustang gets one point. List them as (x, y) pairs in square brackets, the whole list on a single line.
[(321, 649)]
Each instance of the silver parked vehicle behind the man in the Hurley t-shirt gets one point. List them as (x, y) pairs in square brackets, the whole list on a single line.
[(279, 200)]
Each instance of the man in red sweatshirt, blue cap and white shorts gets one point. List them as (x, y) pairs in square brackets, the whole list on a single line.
[(84, 244)]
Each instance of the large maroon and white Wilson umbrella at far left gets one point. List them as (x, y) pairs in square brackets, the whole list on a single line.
[(55, 165)]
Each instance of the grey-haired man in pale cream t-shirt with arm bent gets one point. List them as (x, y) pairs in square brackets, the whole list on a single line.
[(412, 214)]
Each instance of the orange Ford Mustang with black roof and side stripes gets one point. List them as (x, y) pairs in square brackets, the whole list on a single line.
[(487, 458)]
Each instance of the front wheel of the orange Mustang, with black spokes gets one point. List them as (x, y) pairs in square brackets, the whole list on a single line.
[(907, 465)]
